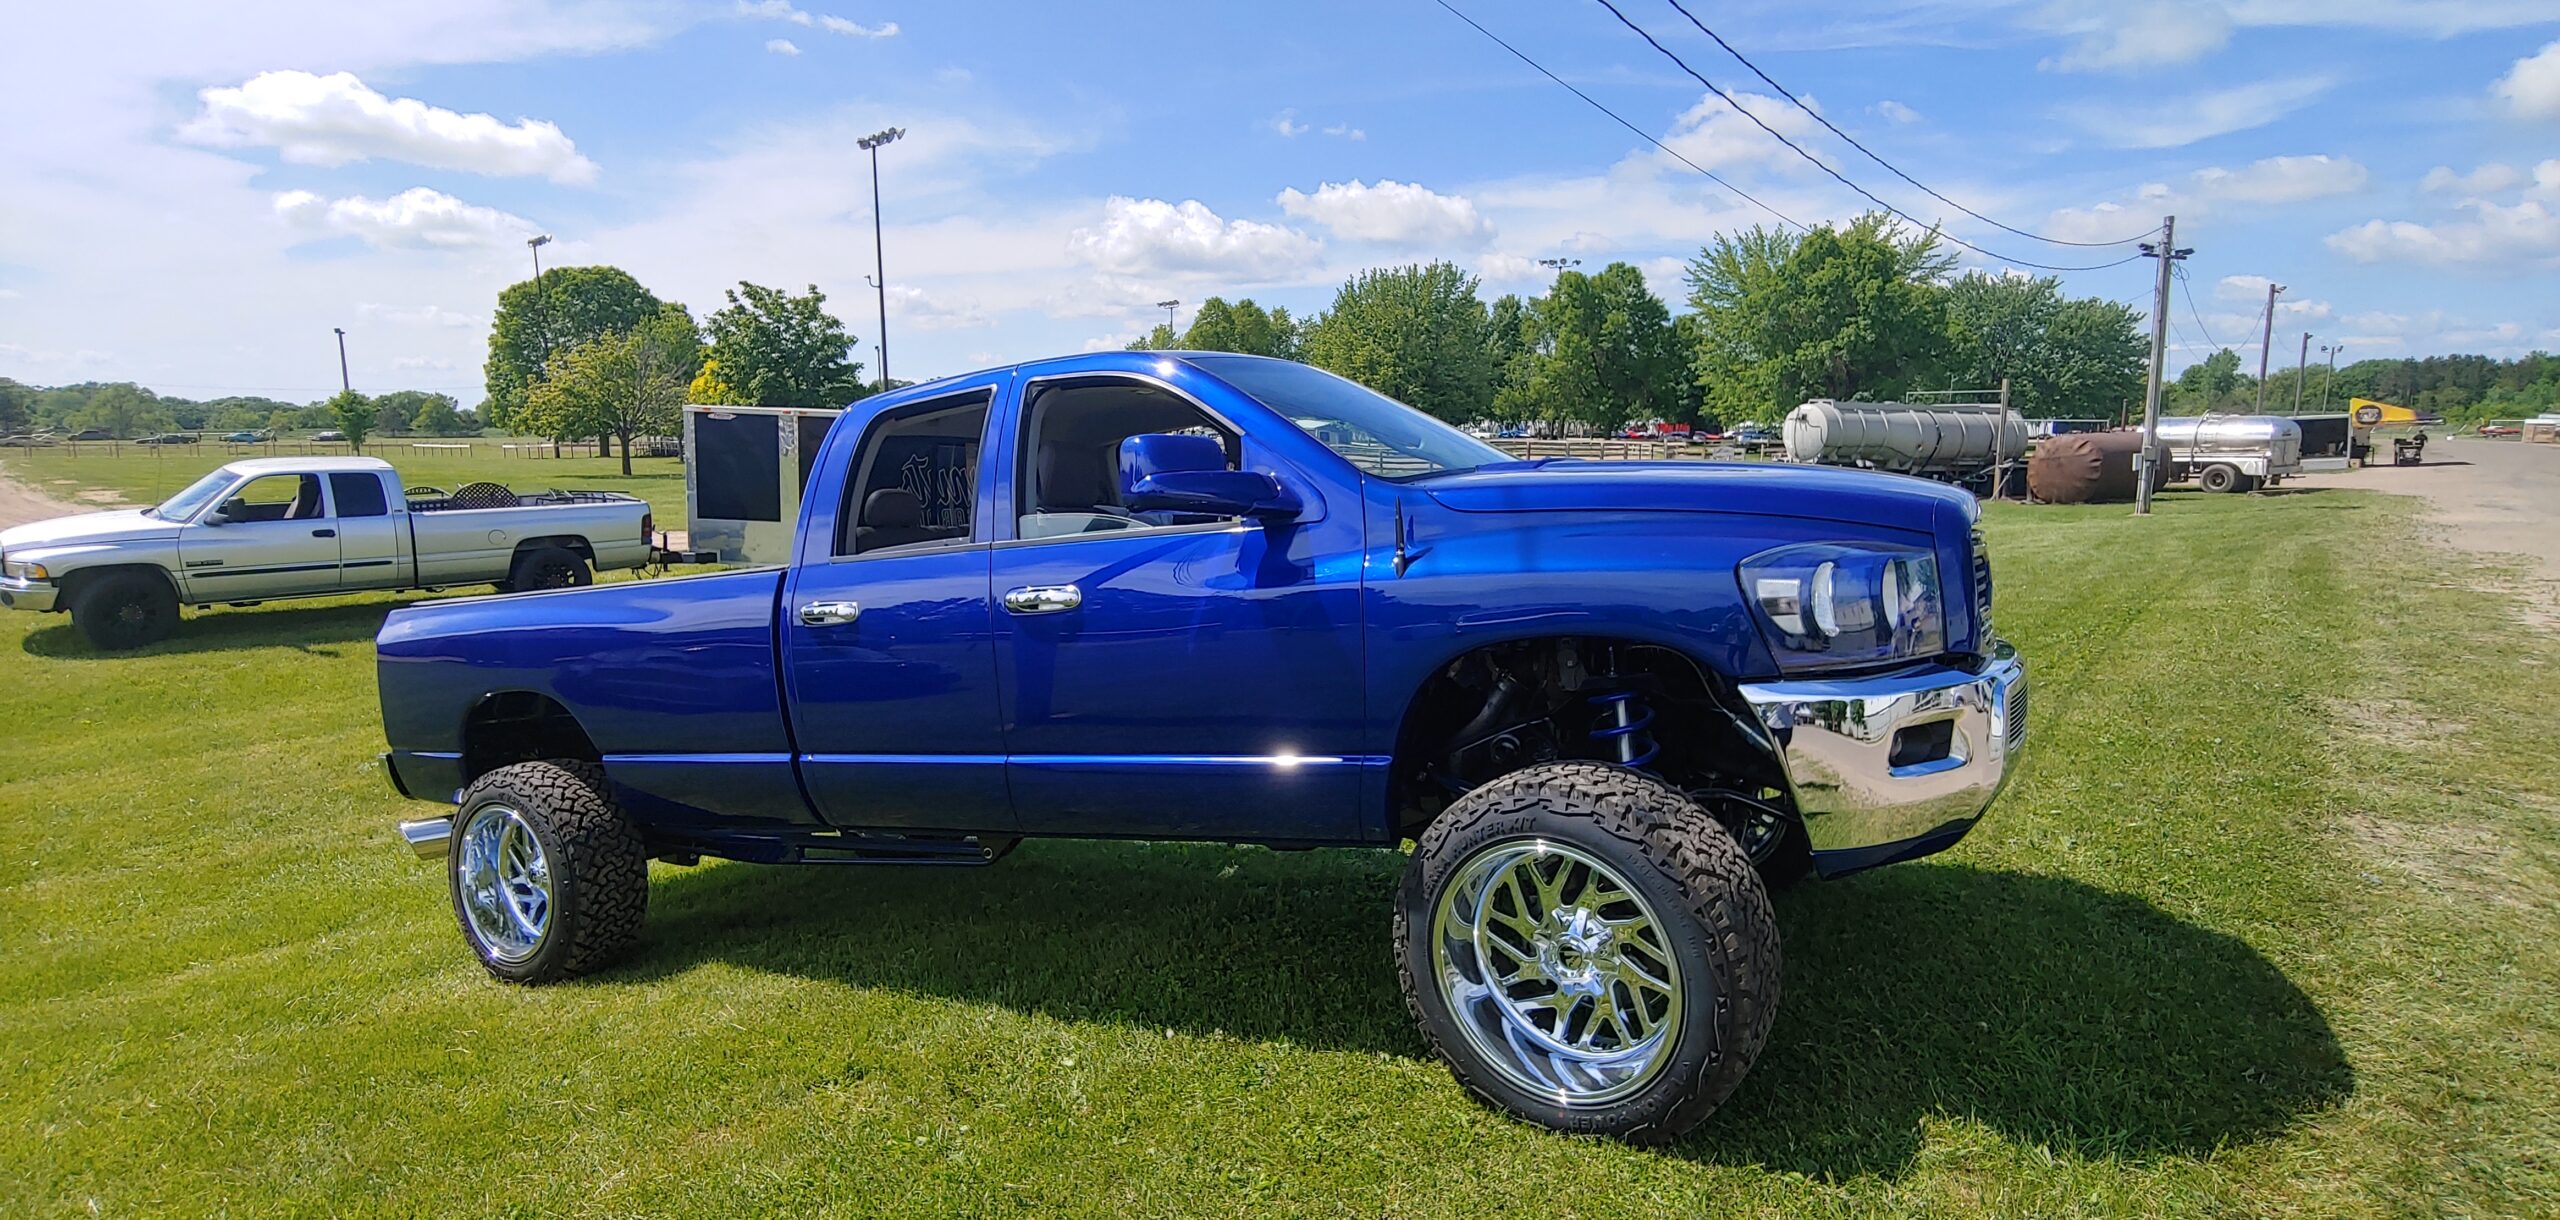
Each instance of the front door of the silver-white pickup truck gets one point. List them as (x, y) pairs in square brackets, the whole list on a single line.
[(275, 538)]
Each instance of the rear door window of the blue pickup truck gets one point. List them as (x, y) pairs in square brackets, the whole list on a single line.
[(915, 485)]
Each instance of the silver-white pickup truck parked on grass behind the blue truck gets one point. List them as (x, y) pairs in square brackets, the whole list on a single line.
[(293, 528)]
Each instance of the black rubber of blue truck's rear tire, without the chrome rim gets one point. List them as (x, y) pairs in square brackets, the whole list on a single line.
[(598, 868)]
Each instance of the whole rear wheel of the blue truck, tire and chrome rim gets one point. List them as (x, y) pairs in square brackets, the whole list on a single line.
[(549, 876)]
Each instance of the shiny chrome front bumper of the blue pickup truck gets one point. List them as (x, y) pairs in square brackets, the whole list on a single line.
[(1898, 766)]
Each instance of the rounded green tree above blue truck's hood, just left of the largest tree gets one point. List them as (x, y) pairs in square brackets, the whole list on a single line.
[(1604, 352)]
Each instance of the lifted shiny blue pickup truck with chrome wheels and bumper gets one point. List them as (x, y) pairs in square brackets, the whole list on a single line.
[(1243, 600)]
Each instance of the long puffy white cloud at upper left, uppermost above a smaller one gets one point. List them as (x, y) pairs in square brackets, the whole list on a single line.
[(329, 121)]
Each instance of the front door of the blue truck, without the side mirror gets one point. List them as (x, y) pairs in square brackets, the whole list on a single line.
[(1171, 676)]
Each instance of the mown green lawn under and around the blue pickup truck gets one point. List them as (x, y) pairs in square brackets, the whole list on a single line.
[(2264, 927)]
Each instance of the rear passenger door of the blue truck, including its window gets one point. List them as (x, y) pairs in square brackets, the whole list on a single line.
[(890, 659)]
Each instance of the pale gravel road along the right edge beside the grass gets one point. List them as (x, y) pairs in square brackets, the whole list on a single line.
[(2492, 497)]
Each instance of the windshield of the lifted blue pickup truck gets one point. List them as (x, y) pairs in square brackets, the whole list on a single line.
[(1363, 426)]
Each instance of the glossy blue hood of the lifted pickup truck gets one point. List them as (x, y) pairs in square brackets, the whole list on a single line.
[(1765, 490)]
